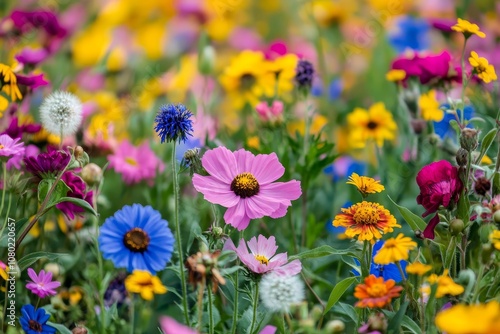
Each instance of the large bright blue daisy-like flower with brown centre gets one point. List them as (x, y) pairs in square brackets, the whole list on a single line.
[(137, 238)]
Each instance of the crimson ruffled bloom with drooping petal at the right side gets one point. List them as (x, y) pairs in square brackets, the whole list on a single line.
[(440, 185)]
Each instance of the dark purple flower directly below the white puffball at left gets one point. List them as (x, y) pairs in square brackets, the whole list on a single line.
[(47, 164)]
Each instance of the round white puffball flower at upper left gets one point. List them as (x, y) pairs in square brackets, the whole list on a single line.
[(61, 113)]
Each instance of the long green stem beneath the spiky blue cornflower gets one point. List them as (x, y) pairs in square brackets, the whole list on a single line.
[(178, 236)]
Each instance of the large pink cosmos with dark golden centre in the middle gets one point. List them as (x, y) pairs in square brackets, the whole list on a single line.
[(244, 183)]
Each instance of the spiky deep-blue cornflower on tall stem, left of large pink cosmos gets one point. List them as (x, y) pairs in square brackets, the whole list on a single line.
[(173, 123)]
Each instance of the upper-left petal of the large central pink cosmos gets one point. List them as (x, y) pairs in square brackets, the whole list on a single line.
[(221, 164)]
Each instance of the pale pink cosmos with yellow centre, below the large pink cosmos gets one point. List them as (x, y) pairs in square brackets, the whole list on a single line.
[(263, 258)]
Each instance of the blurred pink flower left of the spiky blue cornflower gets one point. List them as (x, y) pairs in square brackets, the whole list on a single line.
[(135, 163)]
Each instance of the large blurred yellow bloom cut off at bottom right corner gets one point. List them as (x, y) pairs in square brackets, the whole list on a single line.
[(470, 319)]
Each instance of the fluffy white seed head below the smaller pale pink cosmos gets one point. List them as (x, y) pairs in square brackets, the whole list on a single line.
[(278, 293)]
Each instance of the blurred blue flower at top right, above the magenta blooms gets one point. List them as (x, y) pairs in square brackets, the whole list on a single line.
[(412, 33)]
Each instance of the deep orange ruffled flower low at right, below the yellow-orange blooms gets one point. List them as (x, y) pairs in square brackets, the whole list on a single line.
[(376, 292)]
